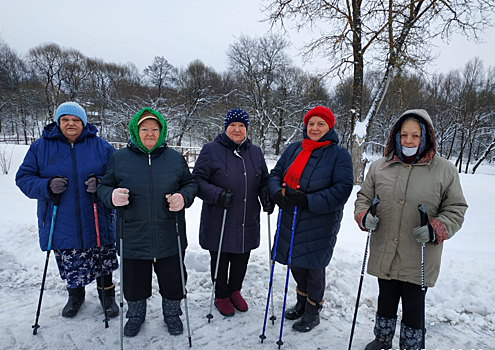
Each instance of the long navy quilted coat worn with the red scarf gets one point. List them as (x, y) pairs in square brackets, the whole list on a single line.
[(327, 179)]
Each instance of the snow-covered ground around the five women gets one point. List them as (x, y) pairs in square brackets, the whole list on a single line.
[(460, 309)]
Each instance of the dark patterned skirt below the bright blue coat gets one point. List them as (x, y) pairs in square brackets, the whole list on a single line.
[(80, 267)]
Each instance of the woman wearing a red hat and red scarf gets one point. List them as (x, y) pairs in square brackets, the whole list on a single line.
[(318, 177)]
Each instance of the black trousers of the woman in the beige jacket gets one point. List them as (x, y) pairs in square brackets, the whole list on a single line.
[(391, 291)]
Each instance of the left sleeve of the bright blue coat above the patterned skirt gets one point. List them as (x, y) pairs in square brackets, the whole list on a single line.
[(28, 177)]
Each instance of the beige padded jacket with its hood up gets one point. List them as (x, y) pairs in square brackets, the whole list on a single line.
[(432, 181)]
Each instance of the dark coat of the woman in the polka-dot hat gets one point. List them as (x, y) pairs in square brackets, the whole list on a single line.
[(223, 164)]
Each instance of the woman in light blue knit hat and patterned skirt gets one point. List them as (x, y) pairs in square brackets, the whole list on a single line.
[(62, 162)]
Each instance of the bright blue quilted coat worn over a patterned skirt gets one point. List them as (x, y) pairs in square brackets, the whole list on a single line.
[(53, 155)]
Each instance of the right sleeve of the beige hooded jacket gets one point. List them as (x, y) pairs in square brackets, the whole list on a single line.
[(452, 208)]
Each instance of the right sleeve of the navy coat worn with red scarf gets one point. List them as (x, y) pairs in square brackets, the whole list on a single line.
[(333, 198)]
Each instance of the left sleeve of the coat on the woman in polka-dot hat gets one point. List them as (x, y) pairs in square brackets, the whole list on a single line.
[(207, 191)]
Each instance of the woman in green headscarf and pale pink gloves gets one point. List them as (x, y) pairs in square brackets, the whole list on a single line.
[(153, 185)]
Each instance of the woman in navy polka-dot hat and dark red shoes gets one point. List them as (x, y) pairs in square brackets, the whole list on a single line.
[(232, 175)]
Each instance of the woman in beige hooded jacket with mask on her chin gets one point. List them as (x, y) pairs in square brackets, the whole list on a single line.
[(410, 174)]
